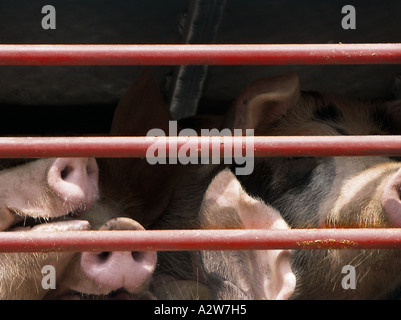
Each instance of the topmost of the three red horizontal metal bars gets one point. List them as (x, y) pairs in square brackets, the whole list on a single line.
[(197, 54)]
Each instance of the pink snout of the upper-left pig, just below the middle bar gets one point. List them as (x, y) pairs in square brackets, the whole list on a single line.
[(74, 180)]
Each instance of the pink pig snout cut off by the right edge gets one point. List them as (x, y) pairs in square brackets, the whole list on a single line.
[(391, 199)]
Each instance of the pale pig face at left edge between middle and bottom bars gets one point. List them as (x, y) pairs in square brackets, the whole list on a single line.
[(46, 190)]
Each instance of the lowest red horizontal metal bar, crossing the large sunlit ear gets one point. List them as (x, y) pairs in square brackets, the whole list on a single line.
[(186, 240)]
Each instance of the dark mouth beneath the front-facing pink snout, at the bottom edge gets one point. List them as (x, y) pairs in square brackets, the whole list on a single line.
[(120, 294)]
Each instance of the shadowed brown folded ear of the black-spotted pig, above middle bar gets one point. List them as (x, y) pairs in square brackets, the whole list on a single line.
[(265, 101)]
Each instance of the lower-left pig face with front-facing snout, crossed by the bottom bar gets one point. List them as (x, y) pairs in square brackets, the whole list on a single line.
[(90, 275)]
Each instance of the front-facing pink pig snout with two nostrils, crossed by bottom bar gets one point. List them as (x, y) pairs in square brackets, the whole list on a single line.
[(111, 271)]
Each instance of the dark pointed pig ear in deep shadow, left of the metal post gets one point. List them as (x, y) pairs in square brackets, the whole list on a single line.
[(141, 108)]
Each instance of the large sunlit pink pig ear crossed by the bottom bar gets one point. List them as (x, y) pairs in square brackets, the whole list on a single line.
[(224, 192)]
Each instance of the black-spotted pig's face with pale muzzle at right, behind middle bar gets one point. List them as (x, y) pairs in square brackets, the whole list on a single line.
[(334, 183)]
